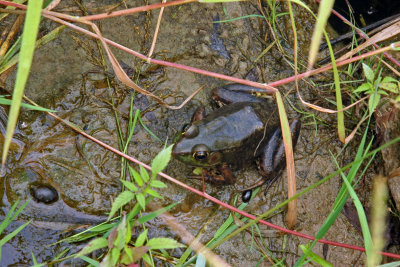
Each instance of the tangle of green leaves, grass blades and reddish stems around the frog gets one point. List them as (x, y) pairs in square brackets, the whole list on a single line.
[(125, 238)]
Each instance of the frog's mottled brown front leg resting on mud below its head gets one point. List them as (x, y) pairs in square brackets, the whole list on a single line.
[(222, 175)]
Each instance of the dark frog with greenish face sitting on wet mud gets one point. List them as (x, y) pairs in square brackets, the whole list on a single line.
[(245, 128)]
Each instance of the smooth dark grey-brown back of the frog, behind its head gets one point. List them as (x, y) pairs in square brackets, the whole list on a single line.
[(236, 130)]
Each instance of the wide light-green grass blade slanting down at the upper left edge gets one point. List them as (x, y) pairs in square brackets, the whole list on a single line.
[(29, 34)]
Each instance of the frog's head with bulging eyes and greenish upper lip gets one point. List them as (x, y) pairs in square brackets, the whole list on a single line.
[(192, 148)]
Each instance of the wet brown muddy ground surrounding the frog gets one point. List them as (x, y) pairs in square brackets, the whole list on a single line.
[(67, 76)]
